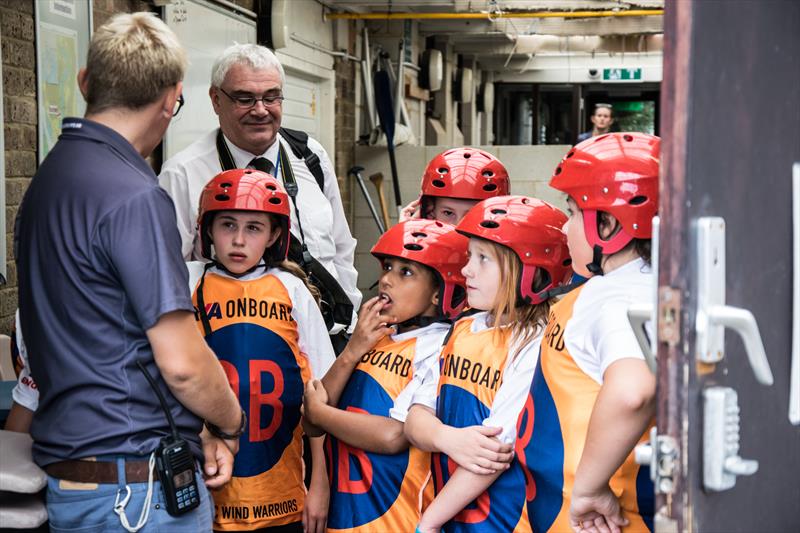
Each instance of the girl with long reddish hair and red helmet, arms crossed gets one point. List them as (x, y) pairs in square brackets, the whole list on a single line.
[(518, 254)]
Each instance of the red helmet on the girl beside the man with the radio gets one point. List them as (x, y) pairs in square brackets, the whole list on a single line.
[(244, 189)]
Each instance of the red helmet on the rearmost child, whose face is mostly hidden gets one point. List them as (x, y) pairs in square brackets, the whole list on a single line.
[(465, 173)]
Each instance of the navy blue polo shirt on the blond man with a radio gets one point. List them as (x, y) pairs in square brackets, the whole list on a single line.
[(99, 261)]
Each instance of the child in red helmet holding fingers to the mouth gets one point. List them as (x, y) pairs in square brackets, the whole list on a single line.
[(377, 480)]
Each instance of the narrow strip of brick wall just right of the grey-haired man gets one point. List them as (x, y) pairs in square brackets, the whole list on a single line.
[(345, 121)]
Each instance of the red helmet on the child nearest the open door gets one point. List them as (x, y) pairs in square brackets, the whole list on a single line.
[(616, 173)]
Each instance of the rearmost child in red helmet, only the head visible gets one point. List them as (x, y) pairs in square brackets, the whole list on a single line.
[(454, 182)]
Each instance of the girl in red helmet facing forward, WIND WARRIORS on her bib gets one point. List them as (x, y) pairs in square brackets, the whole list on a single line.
[(258, 314)]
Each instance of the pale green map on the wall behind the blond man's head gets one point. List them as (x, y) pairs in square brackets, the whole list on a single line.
[(59, 95)]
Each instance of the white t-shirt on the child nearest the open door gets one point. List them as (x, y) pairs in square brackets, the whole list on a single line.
[(599, 332)]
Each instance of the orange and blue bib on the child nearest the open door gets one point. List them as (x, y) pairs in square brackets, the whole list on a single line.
[(552, 431)]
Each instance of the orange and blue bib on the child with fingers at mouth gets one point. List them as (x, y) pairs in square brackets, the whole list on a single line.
[(373, 491)]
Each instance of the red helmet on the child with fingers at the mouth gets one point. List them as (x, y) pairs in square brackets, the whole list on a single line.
[(437, 246)]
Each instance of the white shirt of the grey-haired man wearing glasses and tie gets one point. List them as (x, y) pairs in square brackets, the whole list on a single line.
[(322, 217)]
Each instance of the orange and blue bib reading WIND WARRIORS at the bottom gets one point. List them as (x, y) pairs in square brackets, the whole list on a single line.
[(255, 338)]
